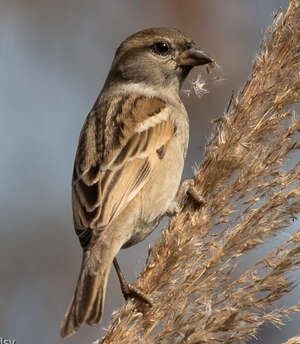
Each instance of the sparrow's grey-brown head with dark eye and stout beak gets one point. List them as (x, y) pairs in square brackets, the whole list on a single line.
[(161, 57)]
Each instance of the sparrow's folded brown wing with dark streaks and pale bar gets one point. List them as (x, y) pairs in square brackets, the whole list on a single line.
[(120, 143)]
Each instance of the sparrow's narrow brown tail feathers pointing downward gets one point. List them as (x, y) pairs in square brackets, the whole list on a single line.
[(88, 300)]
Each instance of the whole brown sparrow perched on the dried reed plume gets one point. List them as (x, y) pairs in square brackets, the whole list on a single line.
[(129, 161)]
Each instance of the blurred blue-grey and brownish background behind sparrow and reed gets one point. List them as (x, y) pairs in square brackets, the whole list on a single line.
[(54, 58)]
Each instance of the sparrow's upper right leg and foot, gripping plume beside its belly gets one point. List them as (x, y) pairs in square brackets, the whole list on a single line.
[(186, 187)]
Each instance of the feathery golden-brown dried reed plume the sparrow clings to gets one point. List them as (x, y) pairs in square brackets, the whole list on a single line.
[(250, 181)]
